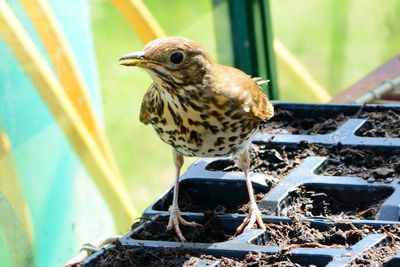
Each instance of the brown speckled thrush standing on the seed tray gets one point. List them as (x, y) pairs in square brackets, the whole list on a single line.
[(201, 109)]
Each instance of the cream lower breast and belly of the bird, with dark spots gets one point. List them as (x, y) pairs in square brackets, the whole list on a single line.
[(204, 131)]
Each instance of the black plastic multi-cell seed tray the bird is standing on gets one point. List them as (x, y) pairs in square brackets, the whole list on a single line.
[(358, 202)]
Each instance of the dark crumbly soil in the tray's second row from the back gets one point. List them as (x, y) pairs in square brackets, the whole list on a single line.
[(342, 161)]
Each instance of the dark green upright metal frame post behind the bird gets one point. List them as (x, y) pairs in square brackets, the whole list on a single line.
[(252, 40)]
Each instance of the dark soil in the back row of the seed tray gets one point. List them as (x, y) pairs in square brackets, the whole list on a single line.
[(380, 123)]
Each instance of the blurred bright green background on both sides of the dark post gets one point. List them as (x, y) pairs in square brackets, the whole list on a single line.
[(337, 41)]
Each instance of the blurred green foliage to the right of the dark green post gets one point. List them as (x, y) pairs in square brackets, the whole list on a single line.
[(339, 42)]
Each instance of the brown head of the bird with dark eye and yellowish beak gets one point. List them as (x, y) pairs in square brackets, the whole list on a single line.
[(174, 59)]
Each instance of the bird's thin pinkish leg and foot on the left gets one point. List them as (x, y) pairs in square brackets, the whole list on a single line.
[(174, 213)]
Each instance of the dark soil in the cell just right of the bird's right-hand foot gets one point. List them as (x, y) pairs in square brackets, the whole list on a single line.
[(311, 203)]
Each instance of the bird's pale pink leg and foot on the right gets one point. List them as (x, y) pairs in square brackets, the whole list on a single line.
[(254, 215)]
